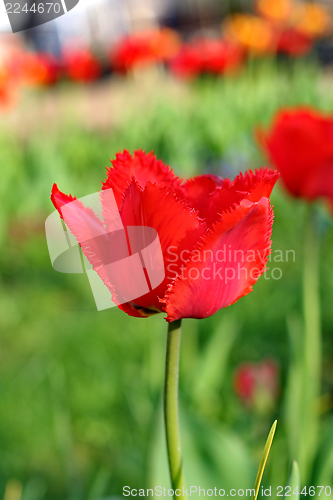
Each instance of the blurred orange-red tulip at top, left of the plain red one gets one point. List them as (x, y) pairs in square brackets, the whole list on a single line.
[(143, 49)]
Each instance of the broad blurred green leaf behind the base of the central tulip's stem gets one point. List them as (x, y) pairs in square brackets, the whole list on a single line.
[(212, 454)]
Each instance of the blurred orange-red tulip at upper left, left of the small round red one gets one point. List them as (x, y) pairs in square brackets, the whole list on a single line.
[(38, 69)]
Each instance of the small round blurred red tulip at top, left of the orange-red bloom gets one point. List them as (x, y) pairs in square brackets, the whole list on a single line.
[(81, 65)]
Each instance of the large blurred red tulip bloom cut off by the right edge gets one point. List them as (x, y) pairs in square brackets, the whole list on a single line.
[(300, 145)]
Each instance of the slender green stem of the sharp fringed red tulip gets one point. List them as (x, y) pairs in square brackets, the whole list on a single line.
[(171, 409)]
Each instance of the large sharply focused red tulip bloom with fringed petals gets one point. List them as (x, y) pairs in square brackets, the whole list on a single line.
[(207, 227)]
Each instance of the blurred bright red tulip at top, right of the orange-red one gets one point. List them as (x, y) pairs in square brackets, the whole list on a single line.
[(205, 55)]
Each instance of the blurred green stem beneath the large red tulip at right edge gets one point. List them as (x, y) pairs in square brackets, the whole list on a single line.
[(312, 344)]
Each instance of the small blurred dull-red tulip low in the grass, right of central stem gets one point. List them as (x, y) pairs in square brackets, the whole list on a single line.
[(257, 385)]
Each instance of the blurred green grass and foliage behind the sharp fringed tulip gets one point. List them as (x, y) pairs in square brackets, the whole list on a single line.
[(81, 390)]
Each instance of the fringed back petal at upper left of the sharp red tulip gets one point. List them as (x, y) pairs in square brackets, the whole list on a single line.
[(143, 166)]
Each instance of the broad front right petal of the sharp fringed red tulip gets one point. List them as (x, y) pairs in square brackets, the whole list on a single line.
[(214, 278)]
